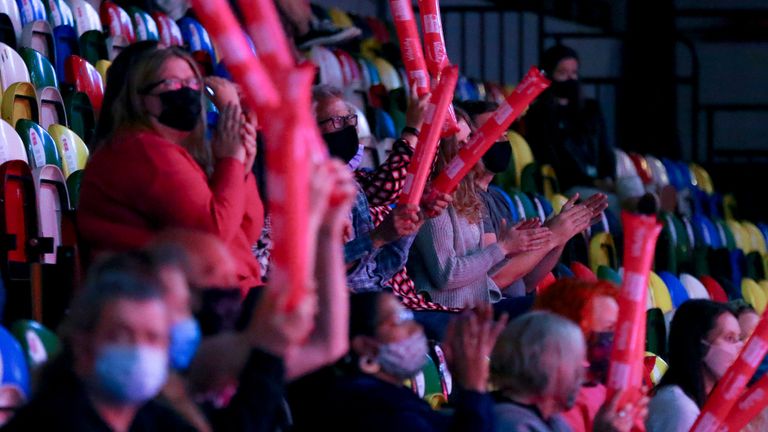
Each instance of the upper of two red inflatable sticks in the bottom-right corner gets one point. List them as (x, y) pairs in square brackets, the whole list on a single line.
[(714, 415)]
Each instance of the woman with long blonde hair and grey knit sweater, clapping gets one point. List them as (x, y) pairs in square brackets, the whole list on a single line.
[(452, 261)]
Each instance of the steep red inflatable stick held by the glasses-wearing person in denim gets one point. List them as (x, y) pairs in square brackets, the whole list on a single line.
[(429, 137)]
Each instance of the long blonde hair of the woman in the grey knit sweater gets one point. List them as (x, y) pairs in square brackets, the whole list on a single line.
[(466, 199)]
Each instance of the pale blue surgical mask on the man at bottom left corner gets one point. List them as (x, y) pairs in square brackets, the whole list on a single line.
[(129, 374)]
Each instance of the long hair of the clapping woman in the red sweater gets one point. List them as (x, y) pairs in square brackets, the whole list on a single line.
[(127, 113)]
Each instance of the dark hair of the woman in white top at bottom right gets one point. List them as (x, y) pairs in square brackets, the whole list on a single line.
[(693, 320)]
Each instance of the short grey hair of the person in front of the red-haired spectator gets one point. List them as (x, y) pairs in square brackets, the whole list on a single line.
[(530, 349)]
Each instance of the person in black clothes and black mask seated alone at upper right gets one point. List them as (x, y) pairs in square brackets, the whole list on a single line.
[(567, 131)]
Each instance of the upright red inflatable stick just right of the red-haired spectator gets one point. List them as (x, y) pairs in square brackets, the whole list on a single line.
[(627, 357)]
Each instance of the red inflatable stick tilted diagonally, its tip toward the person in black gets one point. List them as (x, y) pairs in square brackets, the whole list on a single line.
[(529, 88)]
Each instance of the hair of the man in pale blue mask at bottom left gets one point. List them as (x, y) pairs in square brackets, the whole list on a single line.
[(126, 276)]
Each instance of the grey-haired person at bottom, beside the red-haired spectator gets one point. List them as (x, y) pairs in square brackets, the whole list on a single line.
[(537, 368)]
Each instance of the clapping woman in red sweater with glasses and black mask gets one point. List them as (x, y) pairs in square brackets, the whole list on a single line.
[(153, 169)]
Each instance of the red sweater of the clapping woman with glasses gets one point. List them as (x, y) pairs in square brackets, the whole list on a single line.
[(139, 183)]
